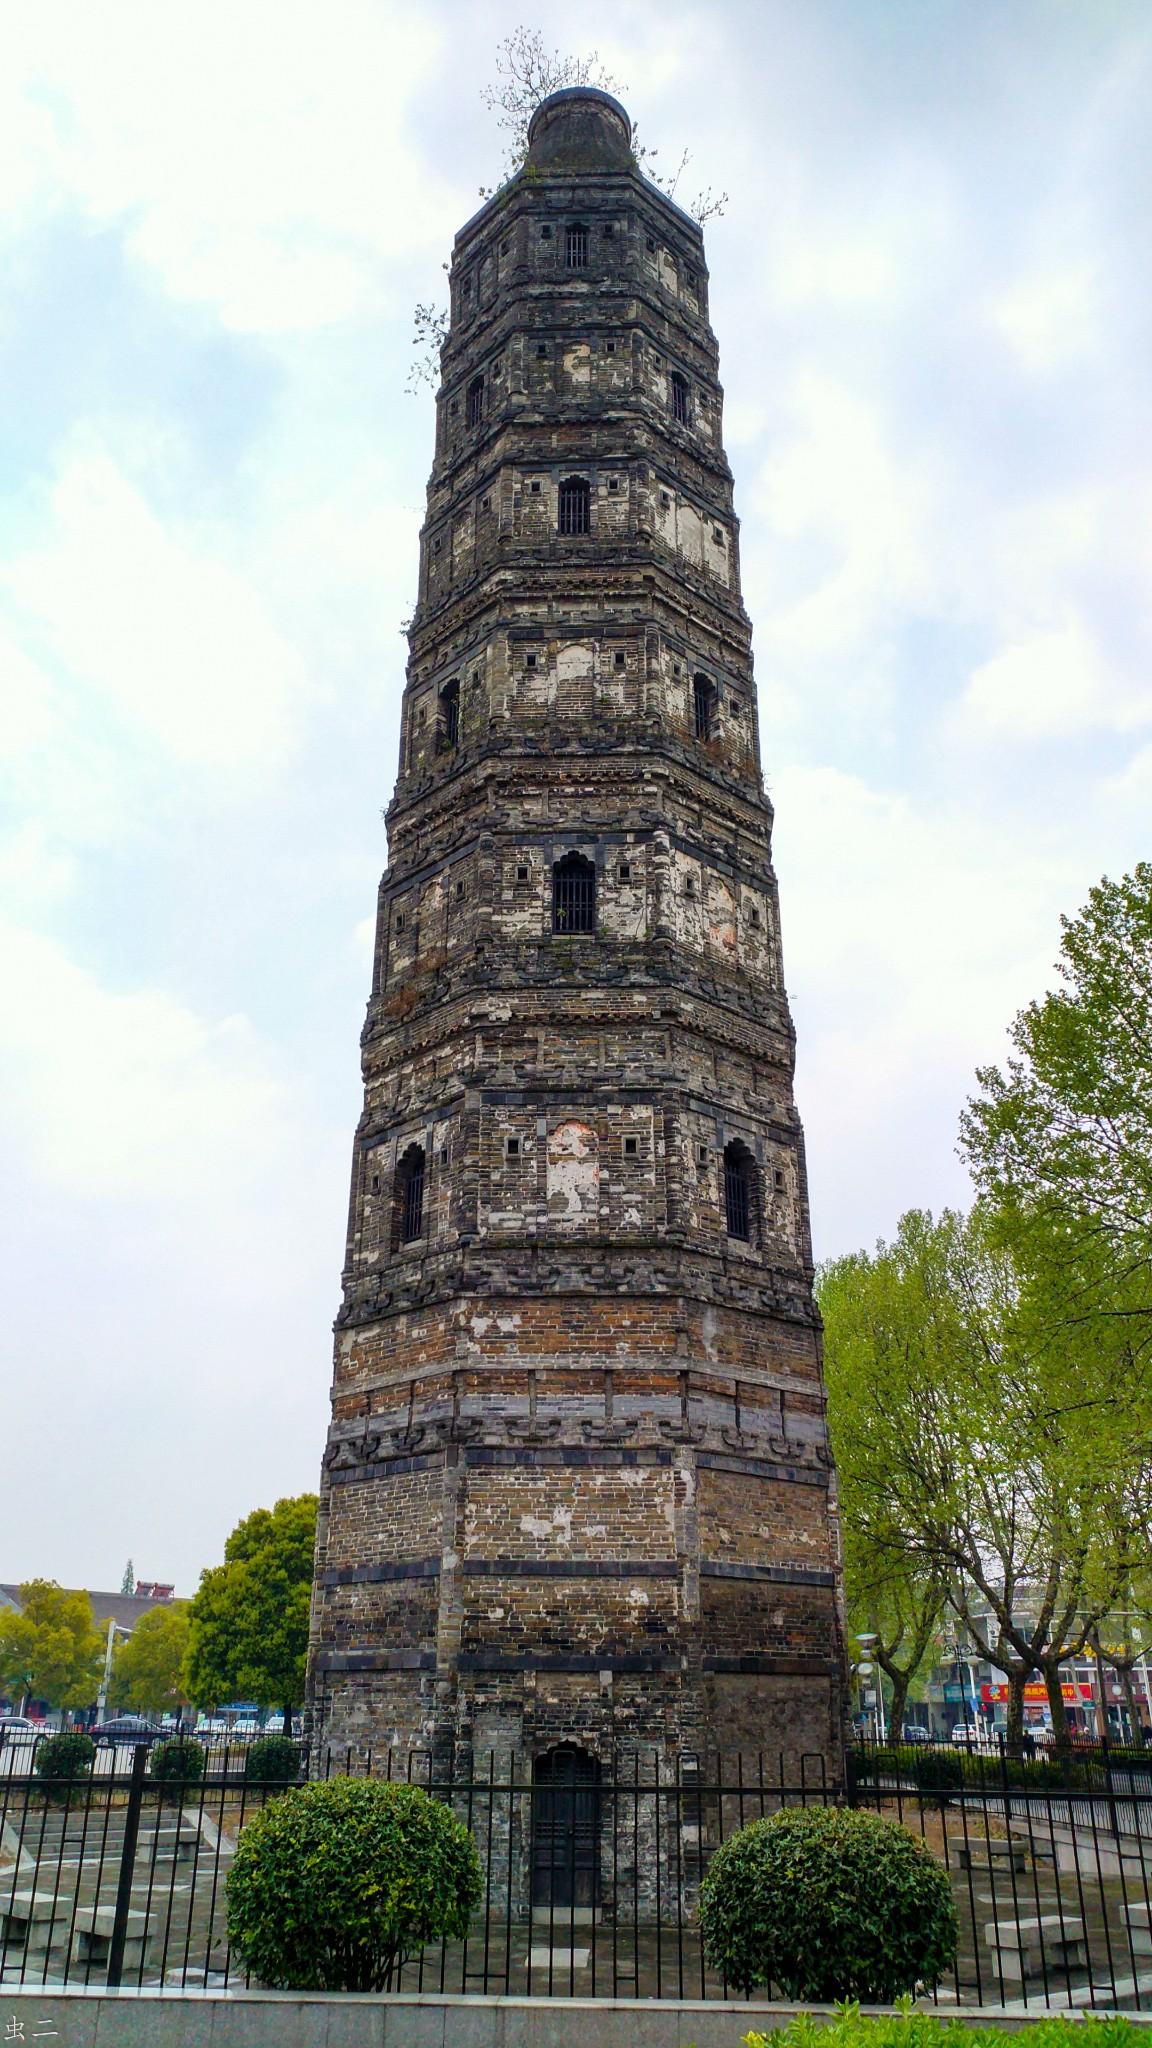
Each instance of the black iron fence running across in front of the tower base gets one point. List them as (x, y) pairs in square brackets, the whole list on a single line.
[(591, 1873)]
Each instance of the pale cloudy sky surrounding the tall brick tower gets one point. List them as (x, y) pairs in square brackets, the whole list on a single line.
[(934, 302)]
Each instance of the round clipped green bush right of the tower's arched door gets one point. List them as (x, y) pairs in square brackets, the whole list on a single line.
[(829, 1904)]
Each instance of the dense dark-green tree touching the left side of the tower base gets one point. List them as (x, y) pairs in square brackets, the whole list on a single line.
[(249, 1619)]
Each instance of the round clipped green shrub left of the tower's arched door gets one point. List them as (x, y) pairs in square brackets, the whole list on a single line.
[(337, 1883)]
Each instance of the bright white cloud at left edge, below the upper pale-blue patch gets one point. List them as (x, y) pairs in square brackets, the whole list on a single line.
[(173, 638)]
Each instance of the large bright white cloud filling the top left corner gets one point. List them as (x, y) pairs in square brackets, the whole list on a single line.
[(255, 153)]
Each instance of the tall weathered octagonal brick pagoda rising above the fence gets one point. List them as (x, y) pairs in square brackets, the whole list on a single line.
[(577, 1486)]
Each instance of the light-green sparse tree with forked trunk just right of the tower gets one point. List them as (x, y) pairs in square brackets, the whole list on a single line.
[(969, 1451)]
